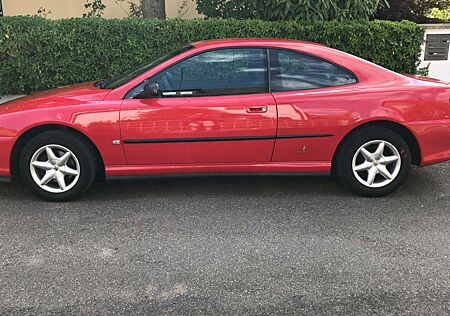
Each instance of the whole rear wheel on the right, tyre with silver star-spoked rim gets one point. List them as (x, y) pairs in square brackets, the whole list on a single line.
[(371, 169)]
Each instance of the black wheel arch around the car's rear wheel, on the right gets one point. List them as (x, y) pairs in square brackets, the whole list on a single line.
[(400, 129)]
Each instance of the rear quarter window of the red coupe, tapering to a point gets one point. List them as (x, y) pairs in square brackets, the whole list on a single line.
[(290, 71)]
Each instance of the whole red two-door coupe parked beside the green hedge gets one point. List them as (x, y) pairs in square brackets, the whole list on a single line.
[(230, 106)]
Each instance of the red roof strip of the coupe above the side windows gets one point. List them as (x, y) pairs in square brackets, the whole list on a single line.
[(251, 41)]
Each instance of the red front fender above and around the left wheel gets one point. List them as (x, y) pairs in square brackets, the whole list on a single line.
[(98, 121)]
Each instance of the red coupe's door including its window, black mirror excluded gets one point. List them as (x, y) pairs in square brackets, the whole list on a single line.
[(214, 107)]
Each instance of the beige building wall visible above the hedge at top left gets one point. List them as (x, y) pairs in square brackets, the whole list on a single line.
[(75, 8)]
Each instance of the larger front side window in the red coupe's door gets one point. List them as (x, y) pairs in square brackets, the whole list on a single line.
[(220, 72)]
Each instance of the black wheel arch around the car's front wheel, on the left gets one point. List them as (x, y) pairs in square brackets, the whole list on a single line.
[(32, 132)]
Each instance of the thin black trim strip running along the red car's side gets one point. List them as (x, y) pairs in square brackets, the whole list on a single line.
[(219, 139)]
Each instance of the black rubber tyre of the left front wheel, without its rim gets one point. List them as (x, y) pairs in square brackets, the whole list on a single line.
[(79, 147)]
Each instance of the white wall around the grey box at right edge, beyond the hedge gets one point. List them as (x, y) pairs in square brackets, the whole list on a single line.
[(439, 69)]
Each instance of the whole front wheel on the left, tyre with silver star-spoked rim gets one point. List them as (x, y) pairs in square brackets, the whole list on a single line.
[(48, 175)]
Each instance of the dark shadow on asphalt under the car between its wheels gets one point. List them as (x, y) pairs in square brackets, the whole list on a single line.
[(225, 186)]
